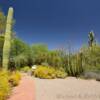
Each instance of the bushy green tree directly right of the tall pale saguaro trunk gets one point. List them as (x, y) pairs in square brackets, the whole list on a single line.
[(20, 54)]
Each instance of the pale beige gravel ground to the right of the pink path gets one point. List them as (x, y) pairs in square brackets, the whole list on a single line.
[(67, 89)]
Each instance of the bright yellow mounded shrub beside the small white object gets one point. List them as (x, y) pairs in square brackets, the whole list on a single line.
[(45, 72)]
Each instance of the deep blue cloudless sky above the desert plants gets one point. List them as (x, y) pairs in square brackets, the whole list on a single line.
[(56, 23)]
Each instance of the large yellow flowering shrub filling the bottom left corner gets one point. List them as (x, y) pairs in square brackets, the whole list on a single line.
[(4, 85)]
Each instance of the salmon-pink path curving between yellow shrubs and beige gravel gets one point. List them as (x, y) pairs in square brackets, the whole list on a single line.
[(25, 90)]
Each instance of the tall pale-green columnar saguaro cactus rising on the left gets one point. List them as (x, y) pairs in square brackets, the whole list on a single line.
[(7, 42)]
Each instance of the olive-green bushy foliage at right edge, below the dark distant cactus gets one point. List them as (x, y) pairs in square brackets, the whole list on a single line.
[(91, 58)]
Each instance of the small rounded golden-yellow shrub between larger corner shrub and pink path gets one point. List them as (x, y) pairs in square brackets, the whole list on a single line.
[(14, 78)]
